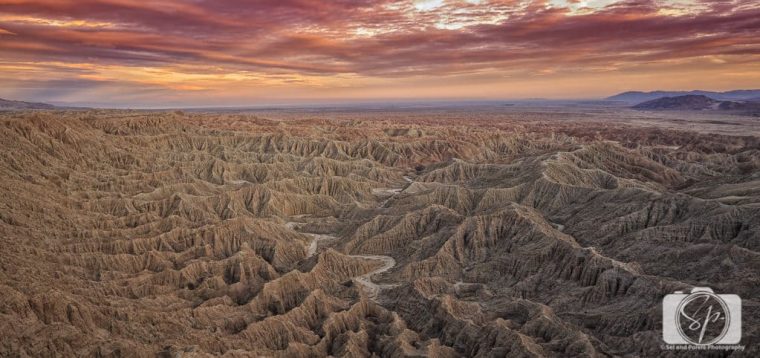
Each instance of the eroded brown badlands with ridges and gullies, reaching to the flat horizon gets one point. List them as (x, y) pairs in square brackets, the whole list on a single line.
[(436, 233)]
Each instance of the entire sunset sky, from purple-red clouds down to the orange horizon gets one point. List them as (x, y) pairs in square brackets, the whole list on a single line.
[(172, 53)]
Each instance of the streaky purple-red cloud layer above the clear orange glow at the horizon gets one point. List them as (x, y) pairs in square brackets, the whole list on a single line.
[(374, 40)]
